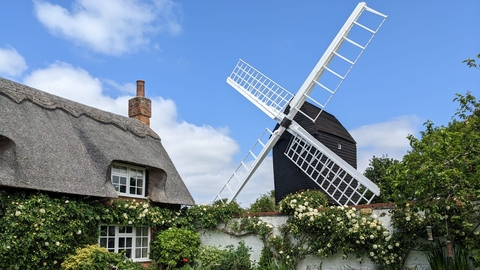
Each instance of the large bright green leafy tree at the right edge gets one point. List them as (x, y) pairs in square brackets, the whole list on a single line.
[(441, 173)]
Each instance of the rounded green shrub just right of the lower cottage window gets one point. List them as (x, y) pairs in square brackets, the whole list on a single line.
[(174, 247)]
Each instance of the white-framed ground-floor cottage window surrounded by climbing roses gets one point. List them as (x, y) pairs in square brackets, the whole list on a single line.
[(135, 241)]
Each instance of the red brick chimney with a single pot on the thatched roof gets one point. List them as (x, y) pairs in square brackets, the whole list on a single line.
[(140, 107)]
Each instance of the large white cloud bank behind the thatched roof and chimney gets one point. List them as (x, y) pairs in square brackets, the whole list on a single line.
[(202, 154)]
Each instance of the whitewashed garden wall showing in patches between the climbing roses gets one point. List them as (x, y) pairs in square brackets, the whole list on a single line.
[(217, 238)]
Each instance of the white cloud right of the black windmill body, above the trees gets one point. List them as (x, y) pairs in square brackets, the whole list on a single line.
[(386, 138)]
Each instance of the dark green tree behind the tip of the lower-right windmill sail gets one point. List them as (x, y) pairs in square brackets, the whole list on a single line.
[(377, 171)]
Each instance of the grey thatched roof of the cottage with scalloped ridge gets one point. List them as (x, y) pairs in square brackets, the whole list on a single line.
[(53, 144)]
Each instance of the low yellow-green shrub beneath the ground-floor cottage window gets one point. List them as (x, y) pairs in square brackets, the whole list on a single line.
[(95, 257)]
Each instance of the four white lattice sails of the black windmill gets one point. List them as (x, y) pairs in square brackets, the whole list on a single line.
[(332, 174)]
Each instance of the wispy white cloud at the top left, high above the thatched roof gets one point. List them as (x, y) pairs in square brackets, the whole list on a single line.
[(111, 27)]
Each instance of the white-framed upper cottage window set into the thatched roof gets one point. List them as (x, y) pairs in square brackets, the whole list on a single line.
[(128, 180)]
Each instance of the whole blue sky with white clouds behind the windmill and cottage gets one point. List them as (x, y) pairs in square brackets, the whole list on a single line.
[(93, 52)]
